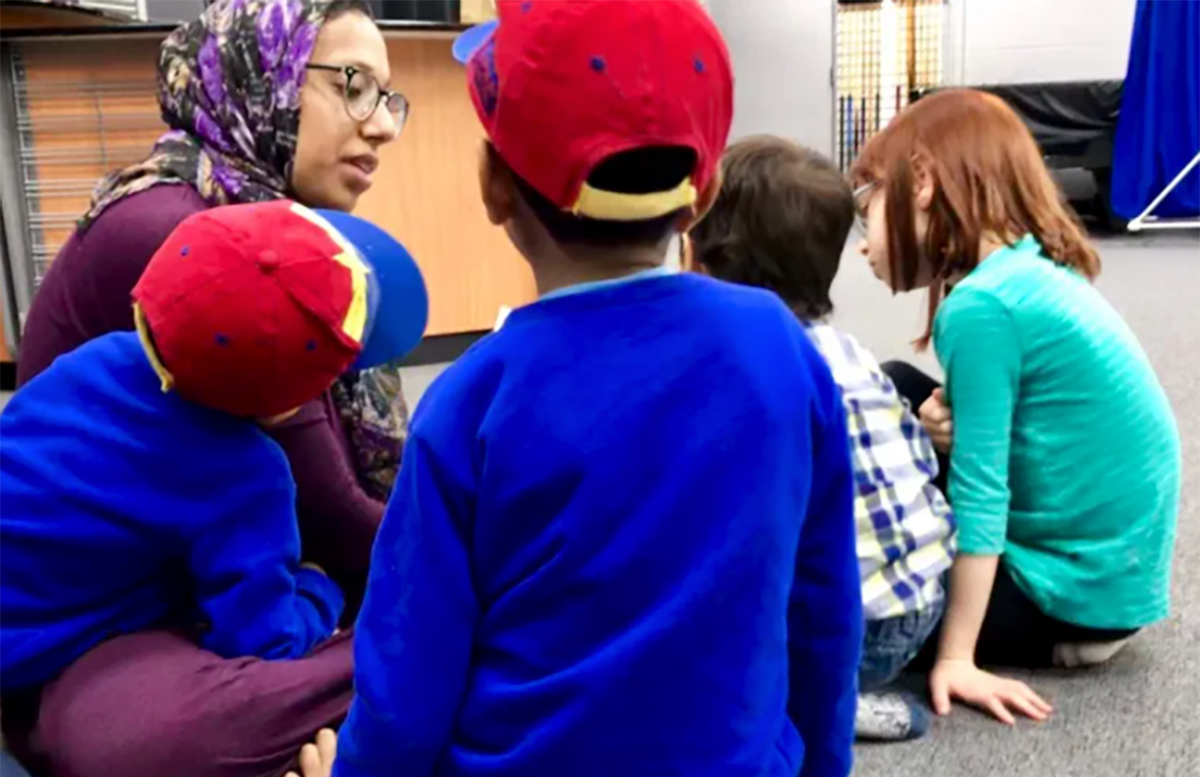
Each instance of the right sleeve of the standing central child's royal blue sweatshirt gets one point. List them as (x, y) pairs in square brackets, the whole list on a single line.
[(826, 612)]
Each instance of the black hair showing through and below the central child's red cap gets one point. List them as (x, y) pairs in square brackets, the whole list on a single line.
[(638, 172)]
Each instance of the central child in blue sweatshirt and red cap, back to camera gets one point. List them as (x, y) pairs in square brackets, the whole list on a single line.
[(622, 541)]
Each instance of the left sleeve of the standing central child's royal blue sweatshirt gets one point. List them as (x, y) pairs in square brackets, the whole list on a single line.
[(413, 639)]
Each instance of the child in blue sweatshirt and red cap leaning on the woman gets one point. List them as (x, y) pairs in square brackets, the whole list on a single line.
[(139, 490)]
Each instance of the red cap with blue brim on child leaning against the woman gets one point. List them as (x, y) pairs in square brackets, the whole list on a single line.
[(256, 310)]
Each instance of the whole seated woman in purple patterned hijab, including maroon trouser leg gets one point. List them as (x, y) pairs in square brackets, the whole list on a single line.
[(266, 99)]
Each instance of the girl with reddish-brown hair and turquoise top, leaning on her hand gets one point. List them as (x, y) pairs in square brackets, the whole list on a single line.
[(1065, 456)]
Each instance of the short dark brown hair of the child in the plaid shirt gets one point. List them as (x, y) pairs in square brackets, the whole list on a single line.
[(779, 224)]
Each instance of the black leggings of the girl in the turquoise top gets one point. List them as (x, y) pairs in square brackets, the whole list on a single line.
[(1016, 631)]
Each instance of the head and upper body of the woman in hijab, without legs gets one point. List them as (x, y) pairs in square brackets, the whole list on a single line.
[(266, 100)]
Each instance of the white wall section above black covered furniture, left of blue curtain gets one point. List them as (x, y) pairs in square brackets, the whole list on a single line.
[(1025, 41)]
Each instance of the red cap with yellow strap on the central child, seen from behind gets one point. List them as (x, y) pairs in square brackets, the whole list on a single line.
[(562, 86)]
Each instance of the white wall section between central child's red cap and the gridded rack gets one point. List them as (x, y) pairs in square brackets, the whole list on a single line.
[(783, 58)]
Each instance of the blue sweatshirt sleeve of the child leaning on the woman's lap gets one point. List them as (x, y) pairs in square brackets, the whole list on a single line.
[(254, 594)]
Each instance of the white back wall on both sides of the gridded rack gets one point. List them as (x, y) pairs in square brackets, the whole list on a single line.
[(783, 53)]
